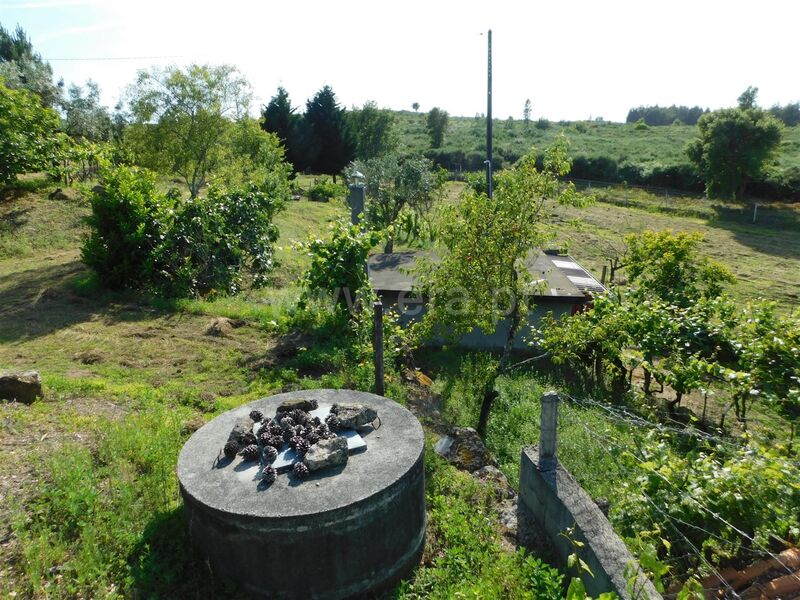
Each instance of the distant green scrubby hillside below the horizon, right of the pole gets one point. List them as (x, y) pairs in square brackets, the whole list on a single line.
[(615, 152)]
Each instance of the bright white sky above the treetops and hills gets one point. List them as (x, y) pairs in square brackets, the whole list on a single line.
[(573, 59)]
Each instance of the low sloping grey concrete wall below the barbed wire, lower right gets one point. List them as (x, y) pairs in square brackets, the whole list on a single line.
[(555, 501)]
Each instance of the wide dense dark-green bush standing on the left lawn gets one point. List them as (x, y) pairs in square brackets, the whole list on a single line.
[(141, 238)]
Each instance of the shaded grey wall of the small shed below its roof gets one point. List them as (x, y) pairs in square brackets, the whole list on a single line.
[(411, 310)]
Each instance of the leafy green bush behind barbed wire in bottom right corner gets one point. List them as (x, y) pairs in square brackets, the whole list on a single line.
[(704, 496)]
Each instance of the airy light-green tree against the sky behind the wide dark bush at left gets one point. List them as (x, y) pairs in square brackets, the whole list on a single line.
[(182, 119)]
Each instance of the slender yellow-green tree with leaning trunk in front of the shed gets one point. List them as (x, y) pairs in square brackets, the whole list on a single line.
[(482, 279)]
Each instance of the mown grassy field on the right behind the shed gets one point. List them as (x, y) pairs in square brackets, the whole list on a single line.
[(765, 257)]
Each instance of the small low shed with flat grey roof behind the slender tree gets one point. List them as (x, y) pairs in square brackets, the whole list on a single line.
[(563, 287)]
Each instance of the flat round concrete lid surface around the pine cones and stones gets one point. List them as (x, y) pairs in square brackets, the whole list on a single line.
[(233, 487)]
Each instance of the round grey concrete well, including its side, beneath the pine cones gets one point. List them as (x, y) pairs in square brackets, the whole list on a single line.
[(342, 532)]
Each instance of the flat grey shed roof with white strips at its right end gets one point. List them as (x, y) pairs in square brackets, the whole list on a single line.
[(558, 275)]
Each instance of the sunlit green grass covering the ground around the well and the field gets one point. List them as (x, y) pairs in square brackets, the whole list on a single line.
[(94, 504)]
